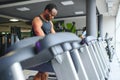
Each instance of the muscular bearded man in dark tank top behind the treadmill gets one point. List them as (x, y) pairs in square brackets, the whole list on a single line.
[(41, 26)]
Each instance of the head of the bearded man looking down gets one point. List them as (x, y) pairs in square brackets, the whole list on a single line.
[(50, 11)]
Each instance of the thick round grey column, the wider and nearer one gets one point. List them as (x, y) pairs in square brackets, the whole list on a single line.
[(91, 23)]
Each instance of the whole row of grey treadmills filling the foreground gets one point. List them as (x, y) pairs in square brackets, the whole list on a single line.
[(60, 53)]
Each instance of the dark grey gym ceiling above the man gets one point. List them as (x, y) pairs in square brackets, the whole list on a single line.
[(25, 10)]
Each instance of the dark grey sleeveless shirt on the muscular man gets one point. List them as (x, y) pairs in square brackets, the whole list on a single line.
[(46, 27)]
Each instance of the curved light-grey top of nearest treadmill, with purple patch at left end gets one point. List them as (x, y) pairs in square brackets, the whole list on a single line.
[(55, 39)]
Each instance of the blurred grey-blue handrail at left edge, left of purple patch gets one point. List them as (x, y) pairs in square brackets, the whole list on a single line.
[(16, 56)]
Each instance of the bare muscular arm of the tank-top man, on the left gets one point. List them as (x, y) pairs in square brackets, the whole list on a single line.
[(37, 24)]
